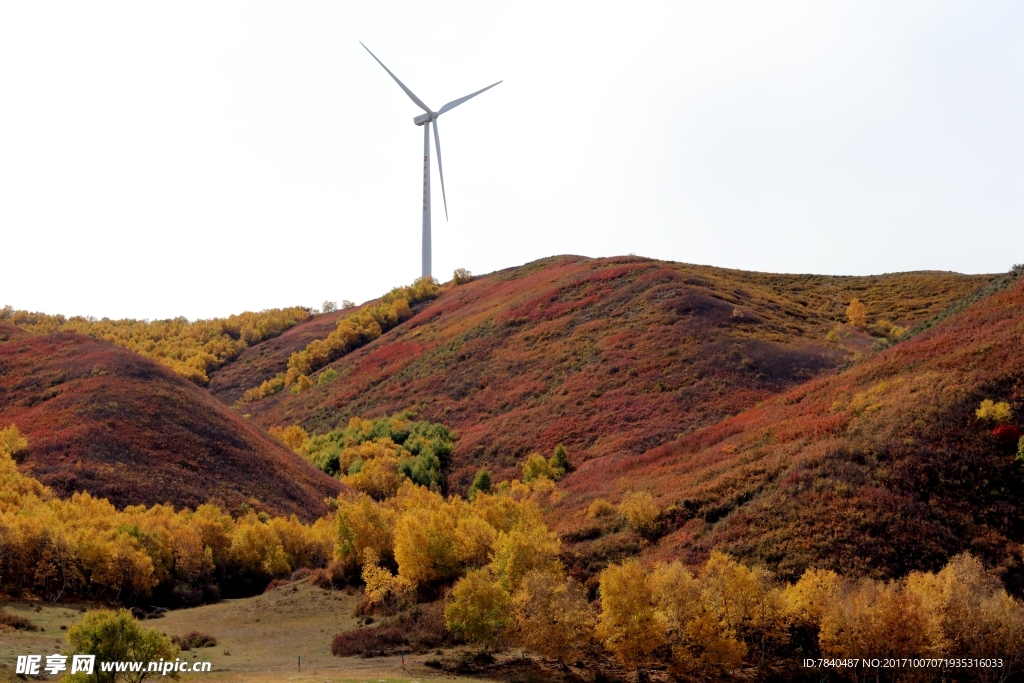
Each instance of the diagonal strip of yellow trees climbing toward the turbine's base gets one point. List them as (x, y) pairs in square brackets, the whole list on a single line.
[(354, 331)]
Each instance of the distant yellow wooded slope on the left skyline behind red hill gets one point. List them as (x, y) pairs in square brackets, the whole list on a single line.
[(192, 350)]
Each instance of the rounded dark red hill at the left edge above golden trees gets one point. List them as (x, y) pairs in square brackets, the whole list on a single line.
[(102, 419)]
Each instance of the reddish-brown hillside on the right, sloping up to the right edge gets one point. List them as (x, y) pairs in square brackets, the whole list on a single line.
[(880, 469)]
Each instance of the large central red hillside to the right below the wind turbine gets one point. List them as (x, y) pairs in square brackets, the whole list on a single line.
[(610, 357)]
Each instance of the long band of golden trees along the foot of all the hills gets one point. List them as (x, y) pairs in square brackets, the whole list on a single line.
[(501, 571)]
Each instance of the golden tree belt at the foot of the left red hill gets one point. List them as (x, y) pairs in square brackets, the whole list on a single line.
[(83, 545)]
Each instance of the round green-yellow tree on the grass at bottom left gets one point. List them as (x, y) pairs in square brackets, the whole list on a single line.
[(117, 636)]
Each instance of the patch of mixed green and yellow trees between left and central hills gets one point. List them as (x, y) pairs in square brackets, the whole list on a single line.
[(376, 456)]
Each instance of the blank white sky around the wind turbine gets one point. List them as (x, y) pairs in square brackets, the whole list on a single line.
[(207, 158)]
